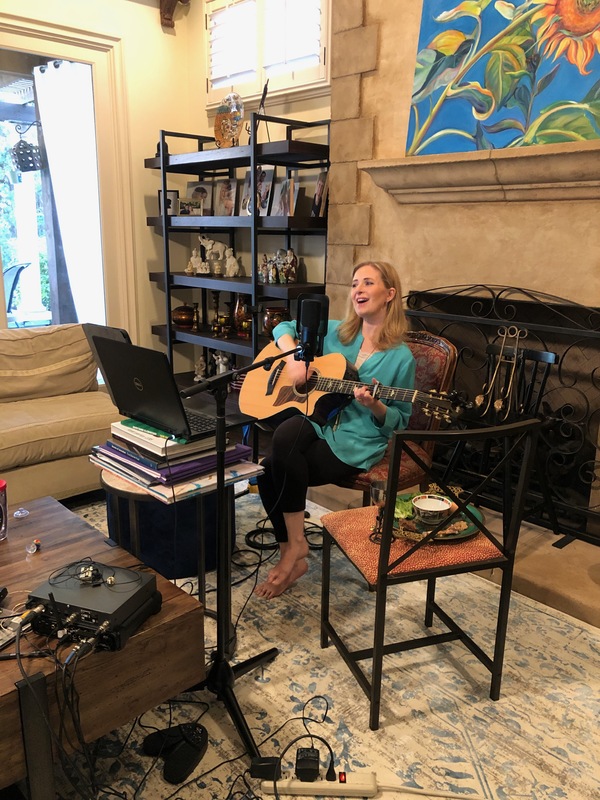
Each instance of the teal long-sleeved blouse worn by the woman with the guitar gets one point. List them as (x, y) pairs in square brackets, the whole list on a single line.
[(355, 435)]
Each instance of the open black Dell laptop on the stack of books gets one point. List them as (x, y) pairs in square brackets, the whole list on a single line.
[(143, 388)]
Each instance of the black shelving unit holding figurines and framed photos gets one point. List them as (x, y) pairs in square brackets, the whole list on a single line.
[(206, 160)]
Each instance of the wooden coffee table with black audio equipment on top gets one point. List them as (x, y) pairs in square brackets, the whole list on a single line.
[(163, 658)]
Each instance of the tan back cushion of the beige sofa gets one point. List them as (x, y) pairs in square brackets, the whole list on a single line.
[(45, 362)]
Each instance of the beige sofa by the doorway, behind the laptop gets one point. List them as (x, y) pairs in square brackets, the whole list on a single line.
[(51, 412)]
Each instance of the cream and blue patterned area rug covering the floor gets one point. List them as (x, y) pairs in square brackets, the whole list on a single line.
[(439, 730)]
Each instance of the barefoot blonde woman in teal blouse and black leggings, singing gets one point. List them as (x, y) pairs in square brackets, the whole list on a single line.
[(305, 453)]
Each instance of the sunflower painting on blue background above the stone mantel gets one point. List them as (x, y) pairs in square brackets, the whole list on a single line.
[(505, 74)]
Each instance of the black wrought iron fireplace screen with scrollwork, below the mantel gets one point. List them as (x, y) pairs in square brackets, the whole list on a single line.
[(473, 318)]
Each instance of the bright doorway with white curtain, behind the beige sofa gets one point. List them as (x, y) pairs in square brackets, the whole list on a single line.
[(49, 192)]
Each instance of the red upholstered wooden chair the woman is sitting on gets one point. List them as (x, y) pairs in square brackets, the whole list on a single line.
[(435, 359)]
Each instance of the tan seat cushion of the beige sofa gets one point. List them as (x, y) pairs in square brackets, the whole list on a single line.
[(48, 428)]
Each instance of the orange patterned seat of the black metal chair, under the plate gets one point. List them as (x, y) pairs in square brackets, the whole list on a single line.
[(350, 529)]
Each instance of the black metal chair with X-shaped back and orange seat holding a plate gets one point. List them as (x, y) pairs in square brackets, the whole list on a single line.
[(407, 557)]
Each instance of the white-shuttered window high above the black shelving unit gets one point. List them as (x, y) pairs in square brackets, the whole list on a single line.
[(251, 41)]
